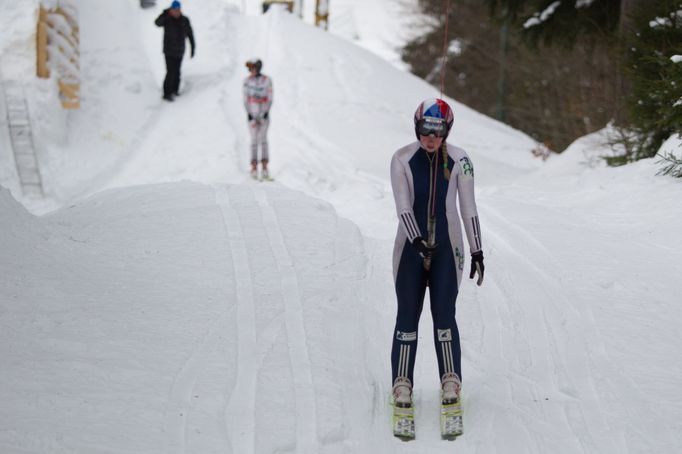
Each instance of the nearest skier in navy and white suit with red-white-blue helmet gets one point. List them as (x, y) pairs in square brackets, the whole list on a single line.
[(429, 248)]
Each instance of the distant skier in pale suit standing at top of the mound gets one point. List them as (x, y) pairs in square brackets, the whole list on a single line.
[(257, 91)]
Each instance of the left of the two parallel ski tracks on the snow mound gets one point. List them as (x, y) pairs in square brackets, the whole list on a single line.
[(240, 412)]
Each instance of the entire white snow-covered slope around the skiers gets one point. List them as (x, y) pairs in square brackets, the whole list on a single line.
[(170, 304)]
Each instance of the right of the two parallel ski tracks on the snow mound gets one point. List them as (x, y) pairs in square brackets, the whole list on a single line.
[(304, 391)]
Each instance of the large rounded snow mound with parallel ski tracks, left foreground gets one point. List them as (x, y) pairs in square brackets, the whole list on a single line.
[(110, 316)]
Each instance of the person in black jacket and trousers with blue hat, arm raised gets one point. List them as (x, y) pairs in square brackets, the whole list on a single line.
[(176, 29)]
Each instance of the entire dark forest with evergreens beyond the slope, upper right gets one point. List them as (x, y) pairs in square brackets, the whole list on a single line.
[(585, 65)]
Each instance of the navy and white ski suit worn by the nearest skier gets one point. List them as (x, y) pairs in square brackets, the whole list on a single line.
[(413, 170)]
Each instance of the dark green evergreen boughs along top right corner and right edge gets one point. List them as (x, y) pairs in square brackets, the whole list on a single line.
[(647, 36)]
